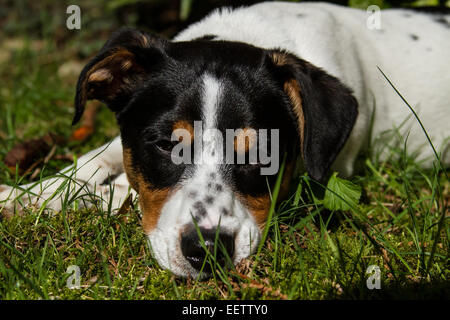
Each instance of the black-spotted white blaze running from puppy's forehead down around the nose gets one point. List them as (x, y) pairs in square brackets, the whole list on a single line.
[(204, 191)]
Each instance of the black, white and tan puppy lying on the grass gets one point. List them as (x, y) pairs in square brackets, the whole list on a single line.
[(305, 72)]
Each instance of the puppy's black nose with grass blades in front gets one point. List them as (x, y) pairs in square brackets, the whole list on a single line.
[(194, 251)]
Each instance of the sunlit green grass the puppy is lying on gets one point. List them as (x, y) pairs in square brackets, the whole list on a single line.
[(400, 223)]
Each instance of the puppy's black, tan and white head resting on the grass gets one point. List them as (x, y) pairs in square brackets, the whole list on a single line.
[(213, 102)]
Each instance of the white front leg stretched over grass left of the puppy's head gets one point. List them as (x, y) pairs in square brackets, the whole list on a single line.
[(97, 178)]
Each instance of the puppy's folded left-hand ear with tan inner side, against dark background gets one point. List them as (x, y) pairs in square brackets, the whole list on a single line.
[(119, 68)]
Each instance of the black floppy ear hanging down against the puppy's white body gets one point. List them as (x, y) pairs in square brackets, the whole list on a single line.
[(324, 107)]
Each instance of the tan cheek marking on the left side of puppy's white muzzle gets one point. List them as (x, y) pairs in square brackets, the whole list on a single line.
[(151, 200)]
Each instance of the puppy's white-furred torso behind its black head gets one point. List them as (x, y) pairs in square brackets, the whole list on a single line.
[(337, 40)]
